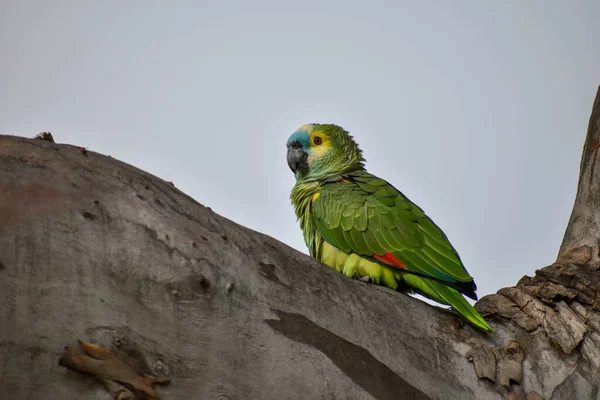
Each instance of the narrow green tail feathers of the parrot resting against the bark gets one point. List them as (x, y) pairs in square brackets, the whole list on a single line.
[(443, 294)]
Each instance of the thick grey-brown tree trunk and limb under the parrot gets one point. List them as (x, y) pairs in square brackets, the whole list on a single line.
[(94, 249)]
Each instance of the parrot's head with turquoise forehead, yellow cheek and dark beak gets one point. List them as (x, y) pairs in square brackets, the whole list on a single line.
[(316, 151)]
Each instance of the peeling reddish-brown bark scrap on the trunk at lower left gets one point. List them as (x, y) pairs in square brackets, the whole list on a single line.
[(119, 378)]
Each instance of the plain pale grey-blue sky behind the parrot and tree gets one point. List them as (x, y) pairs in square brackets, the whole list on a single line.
[(477, 111)]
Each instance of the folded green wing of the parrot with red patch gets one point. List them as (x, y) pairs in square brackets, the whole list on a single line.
[(366, 215)]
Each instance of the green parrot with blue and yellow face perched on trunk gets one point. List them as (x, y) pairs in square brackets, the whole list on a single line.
[(364, 227)]
